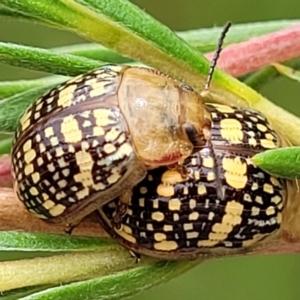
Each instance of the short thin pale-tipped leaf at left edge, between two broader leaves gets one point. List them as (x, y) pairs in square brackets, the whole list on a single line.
[(11, 88)]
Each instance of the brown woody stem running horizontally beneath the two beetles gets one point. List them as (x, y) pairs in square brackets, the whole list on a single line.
[(13, 217)]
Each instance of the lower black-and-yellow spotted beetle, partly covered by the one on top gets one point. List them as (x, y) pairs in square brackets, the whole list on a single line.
[(225, 205)]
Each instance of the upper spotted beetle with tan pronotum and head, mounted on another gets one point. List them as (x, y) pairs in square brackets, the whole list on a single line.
[(90, 139)]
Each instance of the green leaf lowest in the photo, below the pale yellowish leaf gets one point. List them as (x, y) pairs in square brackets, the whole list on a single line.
[(116, 286)]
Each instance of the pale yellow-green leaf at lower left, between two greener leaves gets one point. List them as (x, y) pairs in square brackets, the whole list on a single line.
[(64, 268)]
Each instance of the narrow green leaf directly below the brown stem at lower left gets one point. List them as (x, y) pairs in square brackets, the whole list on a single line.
[(24, 241)]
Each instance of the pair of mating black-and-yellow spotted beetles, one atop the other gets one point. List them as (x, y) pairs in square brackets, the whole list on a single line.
[(170, 176)]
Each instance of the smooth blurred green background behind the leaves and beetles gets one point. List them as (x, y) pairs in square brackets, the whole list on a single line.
[(244, 278)]
